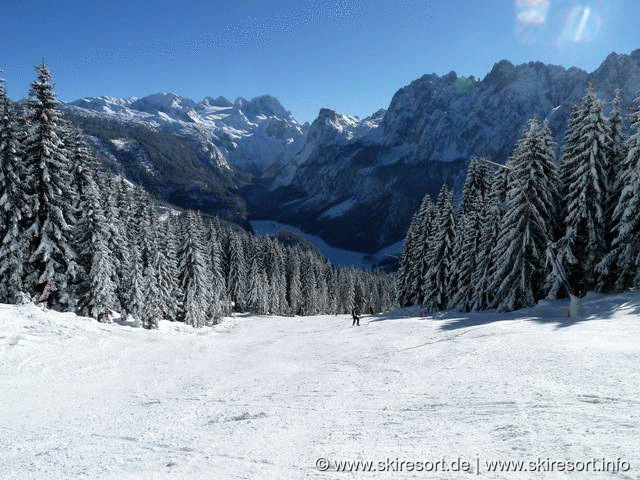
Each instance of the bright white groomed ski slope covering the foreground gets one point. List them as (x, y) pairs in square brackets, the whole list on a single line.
[(267, 397)]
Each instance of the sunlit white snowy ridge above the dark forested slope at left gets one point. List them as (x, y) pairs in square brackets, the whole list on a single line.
[(249, 135)]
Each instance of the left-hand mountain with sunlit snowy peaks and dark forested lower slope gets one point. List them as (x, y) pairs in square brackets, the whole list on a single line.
[(191, 154)]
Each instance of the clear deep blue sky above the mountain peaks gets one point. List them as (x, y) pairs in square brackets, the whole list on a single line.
[(349, 55)]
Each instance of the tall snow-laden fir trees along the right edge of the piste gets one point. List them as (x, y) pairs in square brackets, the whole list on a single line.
[(534, 228)]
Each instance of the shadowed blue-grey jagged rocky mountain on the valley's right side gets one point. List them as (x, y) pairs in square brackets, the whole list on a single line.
[(360, 190)]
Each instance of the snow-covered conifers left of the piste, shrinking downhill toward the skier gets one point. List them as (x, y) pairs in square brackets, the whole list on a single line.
[(106, 245)]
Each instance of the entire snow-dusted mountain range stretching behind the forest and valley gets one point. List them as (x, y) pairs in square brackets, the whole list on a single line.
[(354, 182)]
